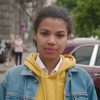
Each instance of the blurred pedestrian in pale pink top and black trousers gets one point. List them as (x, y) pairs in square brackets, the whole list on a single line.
[(18, 50)]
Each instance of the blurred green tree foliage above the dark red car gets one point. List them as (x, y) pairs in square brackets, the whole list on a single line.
[(85, 14)]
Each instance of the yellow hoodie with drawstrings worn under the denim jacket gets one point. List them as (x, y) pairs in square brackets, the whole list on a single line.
[(51, 87)]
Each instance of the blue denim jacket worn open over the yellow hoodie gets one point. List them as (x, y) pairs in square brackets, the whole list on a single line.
[(19, 83)]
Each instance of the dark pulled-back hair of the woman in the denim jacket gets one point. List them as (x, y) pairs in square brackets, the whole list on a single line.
[(54, 12)]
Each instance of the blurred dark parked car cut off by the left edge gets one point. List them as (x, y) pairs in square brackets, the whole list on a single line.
[(3, 50)]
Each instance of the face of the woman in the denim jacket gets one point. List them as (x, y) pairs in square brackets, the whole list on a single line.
[(51, 38)]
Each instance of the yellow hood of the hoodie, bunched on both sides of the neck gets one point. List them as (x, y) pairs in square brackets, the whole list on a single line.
[(68, 61)]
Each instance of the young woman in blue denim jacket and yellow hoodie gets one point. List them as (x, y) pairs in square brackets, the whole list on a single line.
[(48, 75)]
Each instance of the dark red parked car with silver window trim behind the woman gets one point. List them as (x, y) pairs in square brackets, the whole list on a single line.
[(87, 54)]
